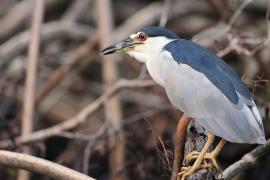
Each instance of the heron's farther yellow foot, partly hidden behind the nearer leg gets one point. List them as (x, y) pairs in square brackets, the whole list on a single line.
[(209, 158)]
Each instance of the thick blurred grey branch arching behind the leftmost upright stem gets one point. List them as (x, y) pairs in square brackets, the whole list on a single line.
[(50, 31)]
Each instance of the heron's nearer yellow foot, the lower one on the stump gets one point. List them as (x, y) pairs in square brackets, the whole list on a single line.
[(186, 171)]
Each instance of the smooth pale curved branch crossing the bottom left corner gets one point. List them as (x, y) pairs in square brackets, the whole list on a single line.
[(41, 166)]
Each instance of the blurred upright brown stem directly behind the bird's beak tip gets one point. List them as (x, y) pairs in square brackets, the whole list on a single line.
[(113, 113)]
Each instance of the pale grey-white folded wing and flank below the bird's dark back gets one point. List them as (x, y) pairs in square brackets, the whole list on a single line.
[(195, 94)]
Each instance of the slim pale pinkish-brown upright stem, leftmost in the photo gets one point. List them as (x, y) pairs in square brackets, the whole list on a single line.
[(31, 73)]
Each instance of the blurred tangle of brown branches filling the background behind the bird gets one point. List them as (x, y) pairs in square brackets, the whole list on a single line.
[(129, 136)]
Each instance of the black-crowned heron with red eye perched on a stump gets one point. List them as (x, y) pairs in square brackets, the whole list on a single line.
[(200, 84)]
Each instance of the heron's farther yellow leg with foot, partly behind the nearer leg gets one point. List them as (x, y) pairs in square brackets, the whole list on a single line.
[(210, 156)]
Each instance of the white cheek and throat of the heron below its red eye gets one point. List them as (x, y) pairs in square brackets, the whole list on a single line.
[(150, 49)]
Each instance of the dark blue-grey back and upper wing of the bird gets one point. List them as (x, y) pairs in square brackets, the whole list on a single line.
[(215, 69)]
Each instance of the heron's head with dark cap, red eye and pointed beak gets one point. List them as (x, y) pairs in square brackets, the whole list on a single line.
[(144, 44)]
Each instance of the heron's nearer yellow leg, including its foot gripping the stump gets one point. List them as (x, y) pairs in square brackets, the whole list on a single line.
[(198, 162)]
